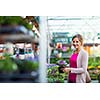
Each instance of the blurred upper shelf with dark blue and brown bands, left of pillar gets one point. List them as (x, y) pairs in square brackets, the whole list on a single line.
[(17, 34)]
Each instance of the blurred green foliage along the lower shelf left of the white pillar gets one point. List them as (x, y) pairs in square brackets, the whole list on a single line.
[(9, 65)]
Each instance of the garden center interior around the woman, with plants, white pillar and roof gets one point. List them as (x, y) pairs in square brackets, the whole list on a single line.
[(36, 43)]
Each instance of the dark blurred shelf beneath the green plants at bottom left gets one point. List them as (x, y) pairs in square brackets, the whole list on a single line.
[(19, 77)]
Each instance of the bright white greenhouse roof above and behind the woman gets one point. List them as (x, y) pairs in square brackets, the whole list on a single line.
[(88, 26)]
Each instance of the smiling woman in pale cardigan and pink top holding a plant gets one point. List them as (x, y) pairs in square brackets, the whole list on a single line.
[(78, 62)]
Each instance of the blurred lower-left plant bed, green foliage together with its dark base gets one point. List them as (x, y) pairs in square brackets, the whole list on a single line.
[(26, 71)]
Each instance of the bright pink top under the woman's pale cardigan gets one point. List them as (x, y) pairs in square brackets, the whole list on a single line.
[(73, 64)]
